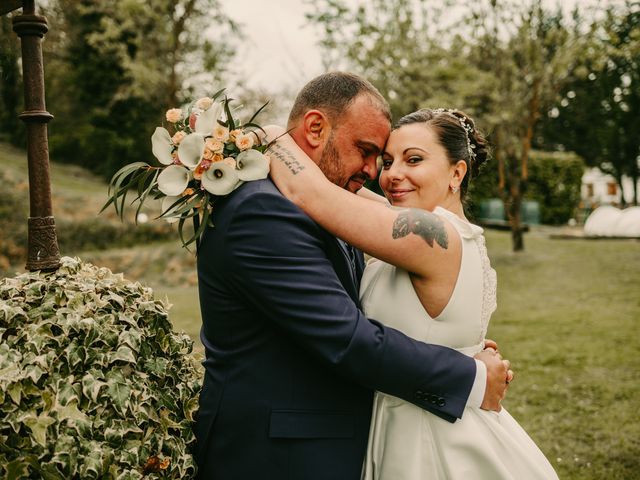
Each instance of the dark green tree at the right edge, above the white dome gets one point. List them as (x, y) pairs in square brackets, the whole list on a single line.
[(599, 113)]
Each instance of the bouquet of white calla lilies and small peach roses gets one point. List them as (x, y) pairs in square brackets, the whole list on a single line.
[(205, 154)]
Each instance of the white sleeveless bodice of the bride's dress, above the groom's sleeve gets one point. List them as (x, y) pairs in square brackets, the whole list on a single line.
[(463, 322)]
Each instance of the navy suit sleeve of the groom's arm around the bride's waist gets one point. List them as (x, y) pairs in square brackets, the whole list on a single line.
[(278, 262)]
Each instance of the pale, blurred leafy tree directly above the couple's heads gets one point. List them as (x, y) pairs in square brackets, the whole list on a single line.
[(404, 47)]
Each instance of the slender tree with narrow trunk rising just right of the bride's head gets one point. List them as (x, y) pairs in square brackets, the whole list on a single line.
[(527, 54)]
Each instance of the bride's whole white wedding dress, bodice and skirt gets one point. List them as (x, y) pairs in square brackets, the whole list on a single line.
[(409, 443)]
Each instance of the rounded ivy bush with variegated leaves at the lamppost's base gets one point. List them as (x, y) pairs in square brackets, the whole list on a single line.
[(93, 381)]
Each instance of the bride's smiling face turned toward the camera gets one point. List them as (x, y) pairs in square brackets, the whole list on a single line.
[(415, 169)]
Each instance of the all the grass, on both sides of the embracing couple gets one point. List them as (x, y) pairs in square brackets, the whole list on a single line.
[(566, 318)]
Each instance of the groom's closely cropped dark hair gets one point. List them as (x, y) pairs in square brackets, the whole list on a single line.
[(332, 93)]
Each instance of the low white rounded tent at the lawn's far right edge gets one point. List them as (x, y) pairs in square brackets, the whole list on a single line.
[(608, 221)]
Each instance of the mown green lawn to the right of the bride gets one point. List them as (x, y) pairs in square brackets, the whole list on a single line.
[(566, 318)]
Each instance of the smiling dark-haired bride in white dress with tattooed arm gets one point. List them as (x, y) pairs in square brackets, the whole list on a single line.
[(430, 263)]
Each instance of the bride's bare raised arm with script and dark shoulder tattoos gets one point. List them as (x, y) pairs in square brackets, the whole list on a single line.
[(414, 239)]
